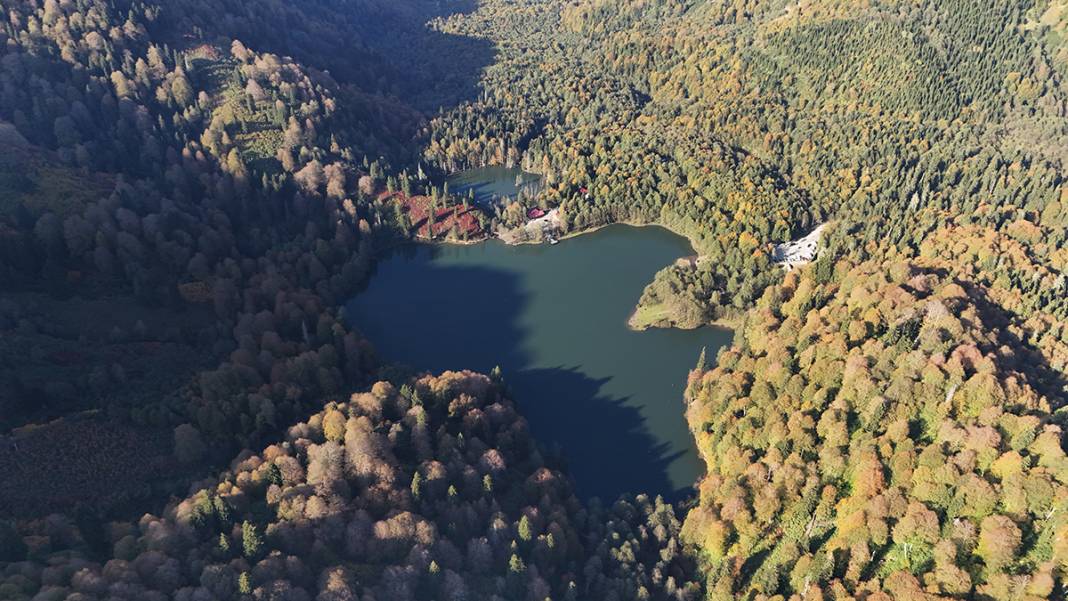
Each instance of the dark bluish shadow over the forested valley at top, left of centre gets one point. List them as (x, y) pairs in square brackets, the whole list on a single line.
[(386, 49)]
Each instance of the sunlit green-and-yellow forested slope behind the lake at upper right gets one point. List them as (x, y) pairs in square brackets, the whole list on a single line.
[(747, 124)]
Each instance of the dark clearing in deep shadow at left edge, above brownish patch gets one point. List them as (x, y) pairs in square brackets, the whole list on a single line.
[(92, 351)]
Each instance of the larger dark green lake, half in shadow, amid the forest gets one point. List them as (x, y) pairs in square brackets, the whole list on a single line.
[(554, 318)]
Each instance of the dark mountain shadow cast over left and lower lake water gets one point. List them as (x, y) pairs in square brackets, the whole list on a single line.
[(438, 318)]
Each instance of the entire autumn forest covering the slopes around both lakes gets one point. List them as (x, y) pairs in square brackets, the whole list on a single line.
[(191, 189)]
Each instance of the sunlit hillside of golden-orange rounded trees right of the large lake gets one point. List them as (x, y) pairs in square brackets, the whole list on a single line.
[(888, 426)]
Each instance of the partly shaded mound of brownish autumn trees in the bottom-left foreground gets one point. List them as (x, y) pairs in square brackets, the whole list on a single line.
[(432, 492)]
